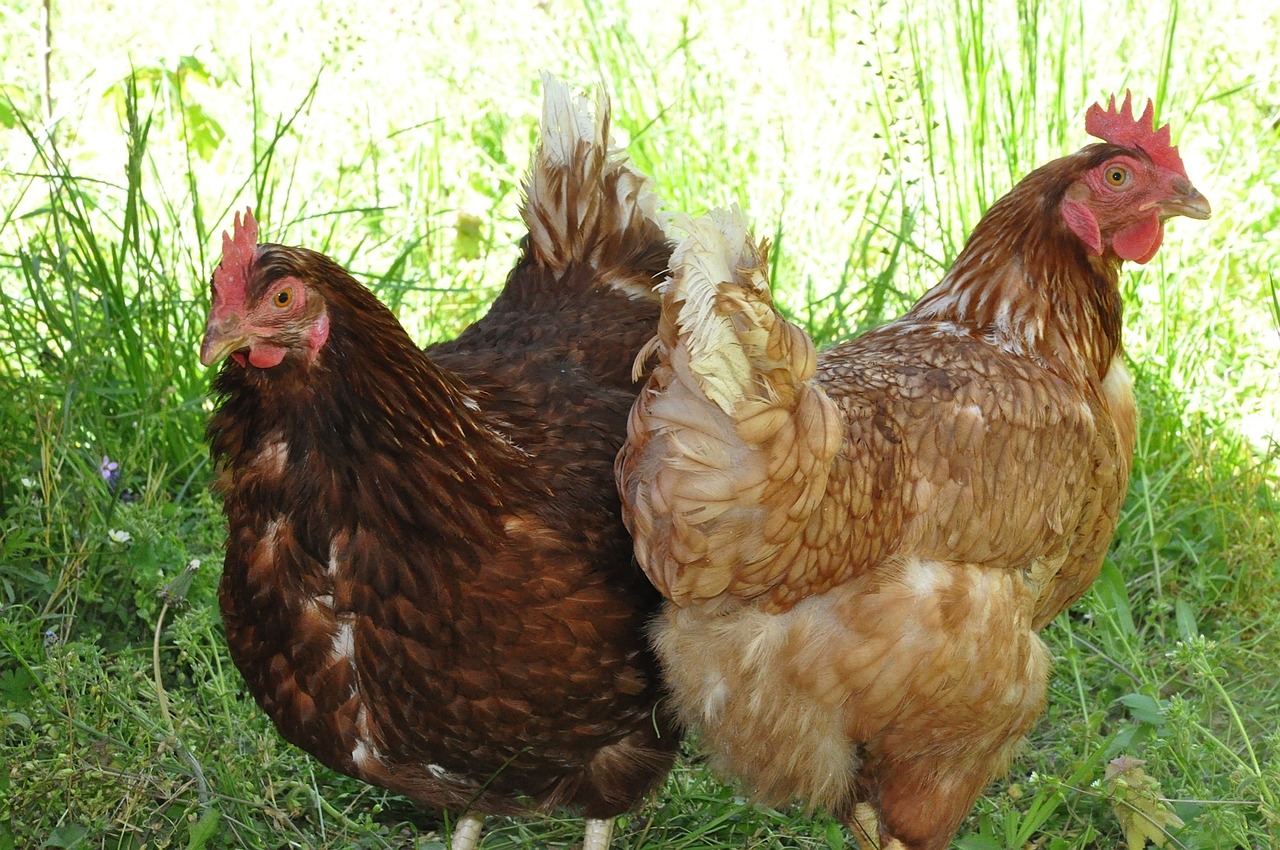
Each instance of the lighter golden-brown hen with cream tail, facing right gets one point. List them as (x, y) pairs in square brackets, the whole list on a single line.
[(861, 546)]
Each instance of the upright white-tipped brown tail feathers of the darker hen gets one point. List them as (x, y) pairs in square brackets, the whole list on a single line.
[(586, 204)]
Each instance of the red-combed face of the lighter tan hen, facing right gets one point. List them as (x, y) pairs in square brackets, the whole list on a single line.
[(1119, 205)]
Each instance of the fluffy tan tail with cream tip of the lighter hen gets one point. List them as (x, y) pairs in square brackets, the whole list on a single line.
[(732, 442)]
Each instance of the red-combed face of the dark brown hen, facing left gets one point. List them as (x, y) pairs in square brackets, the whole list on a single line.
[(259, 317)]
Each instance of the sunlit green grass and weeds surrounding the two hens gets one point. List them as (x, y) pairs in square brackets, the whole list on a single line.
[(866, 139)]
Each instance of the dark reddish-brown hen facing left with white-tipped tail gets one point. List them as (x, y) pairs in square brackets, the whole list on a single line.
[(428, 584)]
